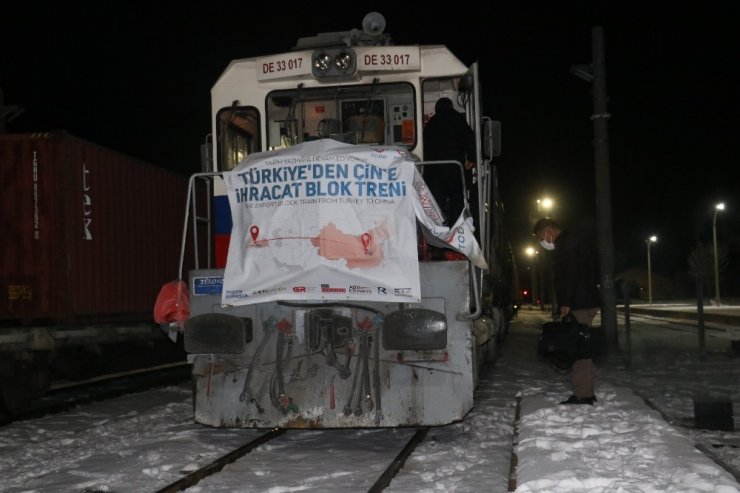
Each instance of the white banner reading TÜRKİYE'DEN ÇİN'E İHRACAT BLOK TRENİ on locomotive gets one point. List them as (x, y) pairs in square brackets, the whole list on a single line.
[(325, 220)]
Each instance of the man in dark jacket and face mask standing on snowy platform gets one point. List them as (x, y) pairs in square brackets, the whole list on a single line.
[(576, 291)]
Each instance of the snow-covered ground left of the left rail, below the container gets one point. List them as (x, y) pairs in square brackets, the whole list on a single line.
[(123, 444)]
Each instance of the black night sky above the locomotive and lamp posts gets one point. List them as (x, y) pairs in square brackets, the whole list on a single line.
[(136, 77)]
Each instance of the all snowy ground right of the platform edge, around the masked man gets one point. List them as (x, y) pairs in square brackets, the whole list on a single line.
[(621, 444)]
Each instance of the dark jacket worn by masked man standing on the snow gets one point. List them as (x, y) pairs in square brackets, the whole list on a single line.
[(575, 273)]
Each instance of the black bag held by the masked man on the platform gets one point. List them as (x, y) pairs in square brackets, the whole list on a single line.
[(565, 341)]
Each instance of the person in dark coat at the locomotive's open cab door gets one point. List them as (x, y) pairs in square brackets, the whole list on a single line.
[(448, 137)]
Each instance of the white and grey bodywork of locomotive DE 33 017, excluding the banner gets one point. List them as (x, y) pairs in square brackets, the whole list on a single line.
[(308, 360)]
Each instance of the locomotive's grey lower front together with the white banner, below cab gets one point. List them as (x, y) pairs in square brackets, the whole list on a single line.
[(323, 315)]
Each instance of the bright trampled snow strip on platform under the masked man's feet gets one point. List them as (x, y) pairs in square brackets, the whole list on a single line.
[(617, 447)]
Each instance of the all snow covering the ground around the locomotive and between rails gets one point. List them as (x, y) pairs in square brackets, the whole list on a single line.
[(143, 442)]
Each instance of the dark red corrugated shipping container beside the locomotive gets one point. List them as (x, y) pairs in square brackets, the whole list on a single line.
[(89, 235)]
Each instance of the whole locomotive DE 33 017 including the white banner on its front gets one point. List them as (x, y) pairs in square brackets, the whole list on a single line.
[(334, 296)]
